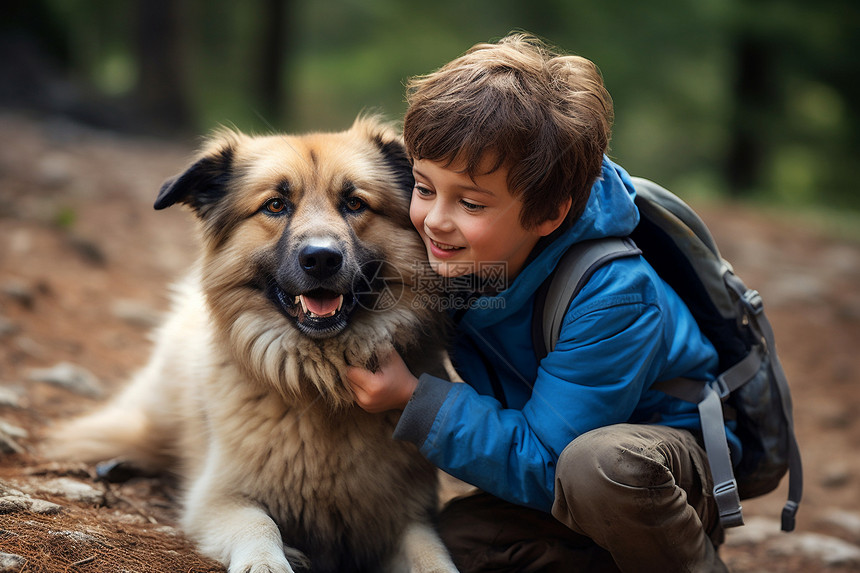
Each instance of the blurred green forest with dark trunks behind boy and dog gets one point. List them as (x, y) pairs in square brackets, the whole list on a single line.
[(753, 98)]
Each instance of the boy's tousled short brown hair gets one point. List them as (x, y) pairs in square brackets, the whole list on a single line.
[(544, 115)]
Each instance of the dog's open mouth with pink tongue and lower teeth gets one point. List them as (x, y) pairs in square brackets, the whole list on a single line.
[(318, 313)]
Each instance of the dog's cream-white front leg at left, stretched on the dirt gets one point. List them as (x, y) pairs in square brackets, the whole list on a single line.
[(232, 529)]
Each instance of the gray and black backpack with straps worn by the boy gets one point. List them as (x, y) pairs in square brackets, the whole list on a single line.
[(752, 388)]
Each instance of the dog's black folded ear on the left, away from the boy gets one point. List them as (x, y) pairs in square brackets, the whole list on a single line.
[(201, 185)]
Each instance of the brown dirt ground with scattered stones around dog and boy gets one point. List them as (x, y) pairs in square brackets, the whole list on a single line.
[(84, 261)]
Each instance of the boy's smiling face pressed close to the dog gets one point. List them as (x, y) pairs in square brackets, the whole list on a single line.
[(469, 225)]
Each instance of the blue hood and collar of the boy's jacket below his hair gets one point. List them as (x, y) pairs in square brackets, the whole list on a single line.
[(610, 212)]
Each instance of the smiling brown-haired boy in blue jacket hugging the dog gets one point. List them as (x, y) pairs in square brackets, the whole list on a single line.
[(580, 463)]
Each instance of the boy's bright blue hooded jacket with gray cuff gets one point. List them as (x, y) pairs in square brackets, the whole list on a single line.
[(624, 331)]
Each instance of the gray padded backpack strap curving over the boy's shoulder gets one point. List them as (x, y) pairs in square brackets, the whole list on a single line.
[(572, 272)]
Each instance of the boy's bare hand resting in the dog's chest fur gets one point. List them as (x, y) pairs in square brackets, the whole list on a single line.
[(389, 388)]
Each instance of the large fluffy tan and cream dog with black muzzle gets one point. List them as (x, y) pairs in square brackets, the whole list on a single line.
[(308, 265)]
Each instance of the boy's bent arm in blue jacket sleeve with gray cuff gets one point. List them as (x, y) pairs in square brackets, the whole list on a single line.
[(595, 378)]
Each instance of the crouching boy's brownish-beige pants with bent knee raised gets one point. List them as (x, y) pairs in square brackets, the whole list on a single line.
[(627, 497)]
